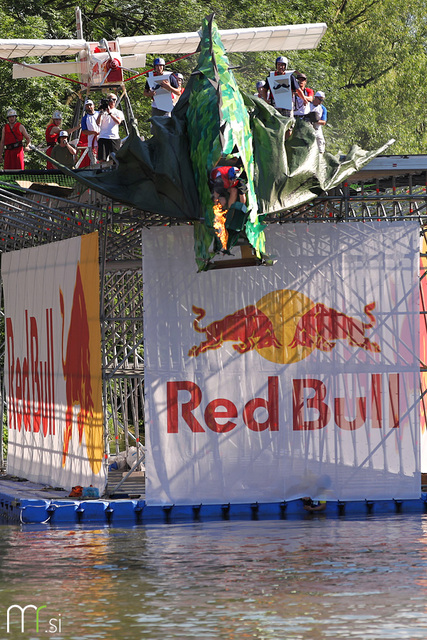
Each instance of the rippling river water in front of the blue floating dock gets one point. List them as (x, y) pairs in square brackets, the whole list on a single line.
[(311, 579)]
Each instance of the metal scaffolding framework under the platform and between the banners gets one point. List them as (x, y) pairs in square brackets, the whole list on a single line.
[(32, 215)]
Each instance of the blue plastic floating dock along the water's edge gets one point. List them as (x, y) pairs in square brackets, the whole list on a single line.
[(28, 503)]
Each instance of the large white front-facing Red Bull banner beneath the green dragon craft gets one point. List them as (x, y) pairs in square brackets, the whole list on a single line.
[(270, 383)]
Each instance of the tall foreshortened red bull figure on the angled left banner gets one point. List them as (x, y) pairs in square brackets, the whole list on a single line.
[(76, 366)]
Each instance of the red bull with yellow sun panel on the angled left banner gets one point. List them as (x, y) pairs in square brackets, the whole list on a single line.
[(81, 365)]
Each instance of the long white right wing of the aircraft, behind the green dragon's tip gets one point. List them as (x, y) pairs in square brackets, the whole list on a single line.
[(285, 38)]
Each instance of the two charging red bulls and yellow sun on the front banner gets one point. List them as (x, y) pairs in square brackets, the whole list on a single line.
[(285, 326)]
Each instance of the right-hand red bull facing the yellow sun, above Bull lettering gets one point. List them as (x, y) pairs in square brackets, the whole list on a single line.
[(321, 327)]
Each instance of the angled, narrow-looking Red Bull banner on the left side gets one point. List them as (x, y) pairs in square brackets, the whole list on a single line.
[(53, 380)]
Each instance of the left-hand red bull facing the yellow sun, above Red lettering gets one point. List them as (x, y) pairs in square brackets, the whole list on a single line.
[(248, 328)]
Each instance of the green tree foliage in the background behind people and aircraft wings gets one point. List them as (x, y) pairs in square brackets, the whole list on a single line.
[(371, 63)]
